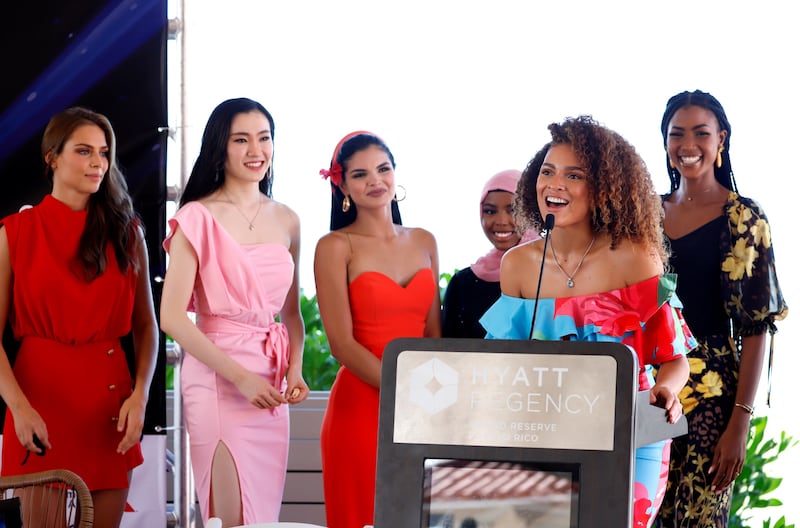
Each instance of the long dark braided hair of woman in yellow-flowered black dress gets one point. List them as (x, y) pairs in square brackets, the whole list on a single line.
[(723, 174)]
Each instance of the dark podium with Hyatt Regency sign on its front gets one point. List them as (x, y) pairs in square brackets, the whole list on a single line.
[(510, 433)]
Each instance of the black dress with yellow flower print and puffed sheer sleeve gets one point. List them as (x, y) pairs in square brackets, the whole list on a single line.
[(745, 301)]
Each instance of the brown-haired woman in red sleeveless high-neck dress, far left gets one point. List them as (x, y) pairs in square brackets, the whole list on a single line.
[(73, 280)]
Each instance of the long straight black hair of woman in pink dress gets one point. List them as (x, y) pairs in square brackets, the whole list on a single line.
[(208, 172)]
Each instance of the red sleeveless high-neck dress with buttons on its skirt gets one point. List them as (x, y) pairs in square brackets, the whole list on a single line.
[(70, 365)]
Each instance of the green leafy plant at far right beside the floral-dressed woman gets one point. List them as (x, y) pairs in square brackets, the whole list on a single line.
[(753, 485)]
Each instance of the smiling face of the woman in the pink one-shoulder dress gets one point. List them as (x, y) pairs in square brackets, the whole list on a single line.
[(249, 151)]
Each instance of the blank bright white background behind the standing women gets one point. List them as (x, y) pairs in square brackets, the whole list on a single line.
[(463, 89)]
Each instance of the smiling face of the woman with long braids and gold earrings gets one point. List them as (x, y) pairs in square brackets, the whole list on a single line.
[(693, 140)]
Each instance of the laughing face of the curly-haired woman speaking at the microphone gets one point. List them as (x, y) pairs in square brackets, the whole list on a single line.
[(562, 188)]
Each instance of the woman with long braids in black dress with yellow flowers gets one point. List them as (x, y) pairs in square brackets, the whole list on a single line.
[(722, 253)]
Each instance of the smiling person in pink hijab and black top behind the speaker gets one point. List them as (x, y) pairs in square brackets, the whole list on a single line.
[(473, 290)]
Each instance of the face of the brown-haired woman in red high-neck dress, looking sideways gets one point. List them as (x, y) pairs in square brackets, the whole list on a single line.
[(81, 165)]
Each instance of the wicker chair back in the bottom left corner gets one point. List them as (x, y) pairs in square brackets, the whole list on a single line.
[(55, 497)]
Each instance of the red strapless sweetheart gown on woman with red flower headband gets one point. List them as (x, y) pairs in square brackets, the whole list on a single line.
[(382, 310)]
